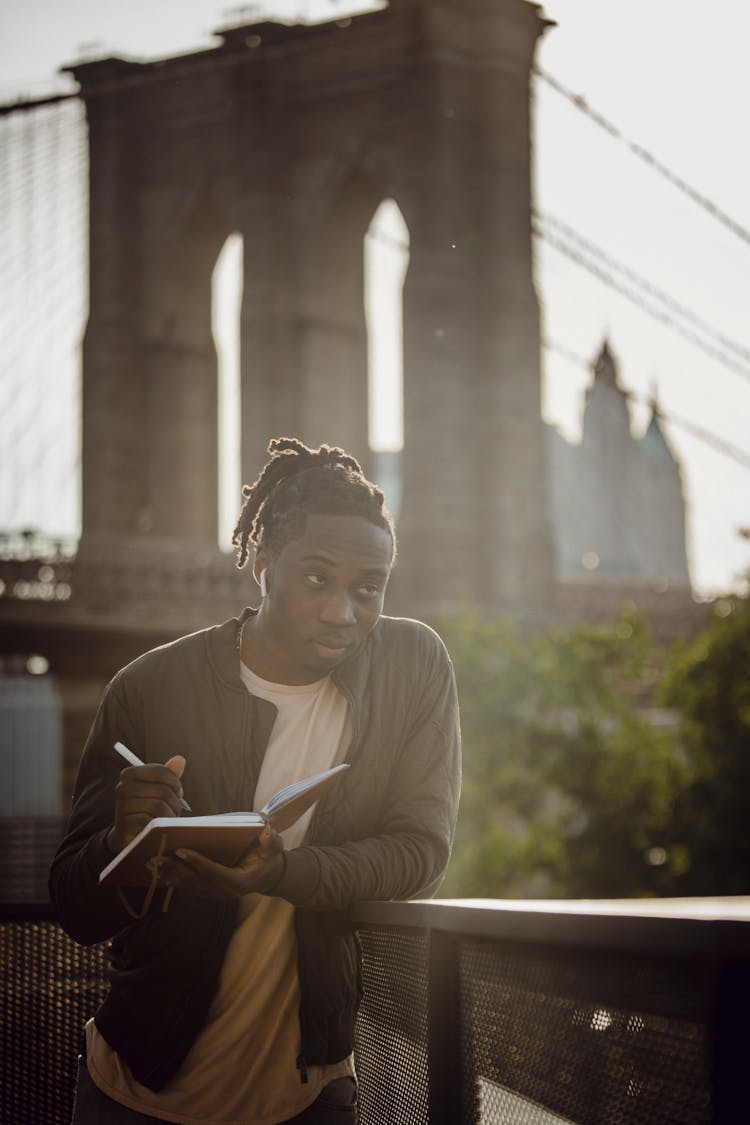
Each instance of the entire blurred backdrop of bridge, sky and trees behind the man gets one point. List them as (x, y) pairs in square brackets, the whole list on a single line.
[(498, 251)]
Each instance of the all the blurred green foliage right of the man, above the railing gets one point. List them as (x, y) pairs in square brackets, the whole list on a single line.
[(575, 786)]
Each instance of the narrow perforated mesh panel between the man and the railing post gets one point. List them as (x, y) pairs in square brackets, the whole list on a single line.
[(392, 1031)]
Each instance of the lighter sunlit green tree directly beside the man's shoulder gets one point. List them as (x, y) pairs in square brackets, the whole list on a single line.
[(568, 788)]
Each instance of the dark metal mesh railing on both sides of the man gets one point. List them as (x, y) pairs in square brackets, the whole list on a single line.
[(490, 1013)]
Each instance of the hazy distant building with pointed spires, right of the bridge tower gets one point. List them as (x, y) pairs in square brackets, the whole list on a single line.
[(617, 501)]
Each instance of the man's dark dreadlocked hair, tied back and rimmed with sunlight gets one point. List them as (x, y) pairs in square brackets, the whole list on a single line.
[(299, 482)]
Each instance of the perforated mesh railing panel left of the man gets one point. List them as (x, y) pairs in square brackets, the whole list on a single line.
[(50, 988)]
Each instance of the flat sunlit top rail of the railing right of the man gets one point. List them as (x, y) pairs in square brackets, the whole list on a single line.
[(704, 928)]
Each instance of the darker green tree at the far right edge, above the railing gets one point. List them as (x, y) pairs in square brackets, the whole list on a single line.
[(709, 683)]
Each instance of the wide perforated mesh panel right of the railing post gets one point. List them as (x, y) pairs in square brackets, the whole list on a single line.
[(592, 1039)]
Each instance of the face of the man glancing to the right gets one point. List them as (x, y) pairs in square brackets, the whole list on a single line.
[(326, 593)]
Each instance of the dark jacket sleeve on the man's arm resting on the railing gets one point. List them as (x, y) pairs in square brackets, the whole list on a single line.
[(409, 857)]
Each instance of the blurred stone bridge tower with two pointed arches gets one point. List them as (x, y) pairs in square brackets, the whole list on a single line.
[(294, 137)]
